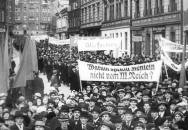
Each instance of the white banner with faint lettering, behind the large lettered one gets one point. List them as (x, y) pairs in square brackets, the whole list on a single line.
[(98, 43)]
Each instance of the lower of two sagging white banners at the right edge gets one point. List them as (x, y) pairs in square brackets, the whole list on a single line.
[(168, 61)]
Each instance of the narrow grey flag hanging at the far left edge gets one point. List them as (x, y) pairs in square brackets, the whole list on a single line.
[(4, 63)]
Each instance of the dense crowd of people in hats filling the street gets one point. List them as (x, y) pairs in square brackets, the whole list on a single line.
[(98, 105)]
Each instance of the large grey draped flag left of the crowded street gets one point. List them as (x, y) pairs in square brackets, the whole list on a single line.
[(28, 64)]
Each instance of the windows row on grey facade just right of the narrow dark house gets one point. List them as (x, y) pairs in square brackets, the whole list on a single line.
[(91, 13)]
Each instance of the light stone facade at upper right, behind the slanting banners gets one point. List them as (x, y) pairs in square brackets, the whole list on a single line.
[(152, 19)]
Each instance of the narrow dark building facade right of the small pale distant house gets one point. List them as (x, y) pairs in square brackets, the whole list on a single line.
[(74, 18)]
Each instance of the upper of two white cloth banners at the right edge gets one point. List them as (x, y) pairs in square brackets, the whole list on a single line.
[(169, 46)]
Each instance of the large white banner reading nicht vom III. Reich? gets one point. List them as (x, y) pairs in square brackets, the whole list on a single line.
[(143, 72)]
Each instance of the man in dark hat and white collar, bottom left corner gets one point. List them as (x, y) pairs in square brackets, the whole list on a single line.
[(19, 119)]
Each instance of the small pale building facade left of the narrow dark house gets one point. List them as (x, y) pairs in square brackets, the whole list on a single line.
[(62, 24)]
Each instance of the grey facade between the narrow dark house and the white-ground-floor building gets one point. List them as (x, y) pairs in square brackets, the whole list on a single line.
[(91, 17)]
